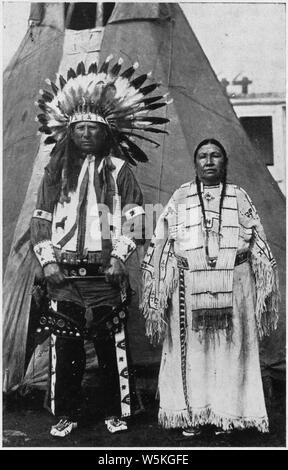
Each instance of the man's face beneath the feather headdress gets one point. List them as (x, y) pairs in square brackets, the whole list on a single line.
[(89, 137)]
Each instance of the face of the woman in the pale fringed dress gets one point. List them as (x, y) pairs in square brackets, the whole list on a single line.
[(210, 164)]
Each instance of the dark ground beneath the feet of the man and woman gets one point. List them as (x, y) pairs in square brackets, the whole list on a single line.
[(26, 424)]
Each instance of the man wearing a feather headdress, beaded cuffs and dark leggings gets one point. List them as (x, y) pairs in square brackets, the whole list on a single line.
[(86, 224)]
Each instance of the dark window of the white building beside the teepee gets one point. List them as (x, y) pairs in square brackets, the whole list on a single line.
[(259, 130)]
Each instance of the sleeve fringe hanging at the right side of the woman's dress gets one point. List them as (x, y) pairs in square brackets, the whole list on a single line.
[(267, 295)]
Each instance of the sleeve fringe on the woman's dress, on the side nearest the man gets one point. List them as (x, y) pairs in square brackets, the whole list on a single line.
[(155, 299)]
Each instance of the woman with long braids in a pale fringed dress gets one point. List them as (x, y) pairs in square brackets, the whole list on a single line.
[(210, 292)]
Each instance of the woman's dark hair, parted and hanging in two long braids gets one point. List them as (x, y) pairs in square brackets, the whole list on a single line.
[(223, 180)]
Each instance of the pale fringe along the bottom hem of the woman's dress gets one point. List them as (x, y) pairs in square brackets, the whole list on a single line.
[(183, 418)]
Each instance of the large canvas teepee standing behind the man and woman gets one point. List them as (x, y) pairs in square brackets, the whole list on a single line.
[(159, 37)]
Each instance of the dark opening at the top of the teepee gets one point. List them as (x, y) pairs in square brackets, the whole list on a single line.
[(83, 15)]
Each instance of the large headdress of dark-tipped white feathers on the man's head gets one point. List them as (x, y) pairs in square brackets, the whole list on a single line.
[(107, 96)]
